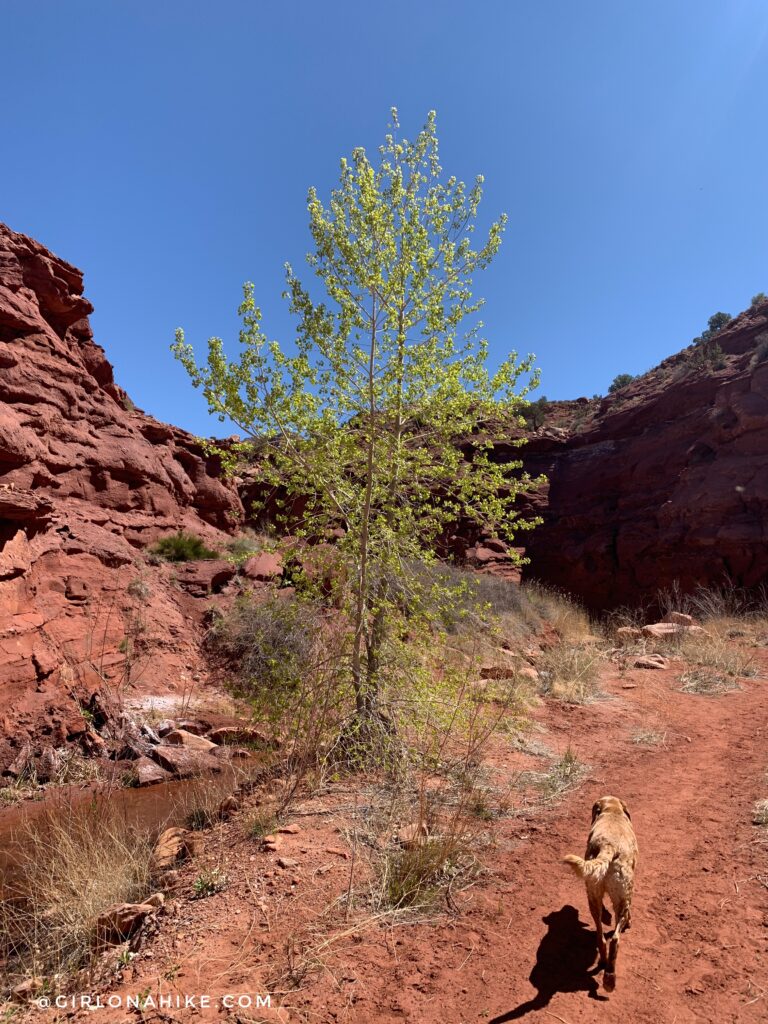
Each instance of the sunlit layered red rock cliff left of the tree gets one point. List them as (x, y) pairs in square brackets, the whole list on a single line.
[(86, 483)]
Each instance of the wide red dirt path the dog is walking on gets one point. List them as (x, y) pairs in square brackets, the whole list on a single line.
[(697, 951)]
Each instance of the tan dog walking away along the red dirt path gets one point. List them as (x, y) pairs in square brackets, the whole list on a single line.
[(609, 868)]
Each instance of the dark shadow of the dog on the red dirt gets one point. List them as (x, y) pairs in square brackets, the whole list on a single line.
[(566, 962)]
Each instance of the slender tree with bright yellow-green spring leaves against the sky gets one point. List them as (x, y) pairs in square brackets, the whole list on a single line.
[(369, 417)]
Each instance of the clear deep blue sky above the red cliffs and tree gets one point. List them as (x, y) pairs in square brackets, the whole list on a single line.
[(165, 147)]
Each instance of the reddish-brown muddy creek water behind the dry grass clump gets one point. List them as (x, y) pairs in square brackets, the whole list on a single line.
[(143, 812)]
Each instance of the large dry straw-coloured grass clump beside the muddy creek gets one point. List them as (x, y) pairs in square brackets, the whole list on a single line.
[(79, 865)]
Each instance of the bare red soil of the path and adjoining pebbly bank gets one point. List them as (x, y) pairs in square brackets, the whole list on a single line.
[(524, 947)]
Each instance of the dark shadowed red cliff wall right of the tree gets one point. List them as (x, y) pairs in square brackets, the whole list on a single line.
[(667, 483)]
